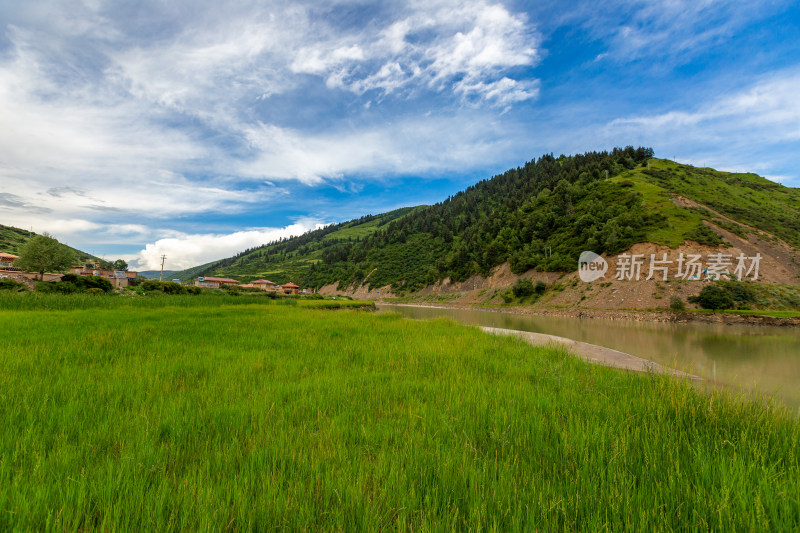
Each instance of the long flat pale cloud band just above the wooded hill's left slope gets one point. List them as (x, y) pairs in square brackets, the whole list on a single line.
[(409, 146)]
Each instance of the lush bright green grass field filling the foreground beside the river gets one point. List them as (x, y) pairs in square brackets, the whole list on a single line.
[(262, 416)]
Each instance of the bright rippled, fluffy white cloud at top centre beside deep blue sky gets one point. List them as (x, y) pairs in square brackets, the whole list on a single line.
[(457, 46)]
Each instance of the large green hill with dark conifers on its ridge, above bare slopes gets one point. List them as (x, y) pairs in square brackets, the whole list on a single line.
[(541, 215)]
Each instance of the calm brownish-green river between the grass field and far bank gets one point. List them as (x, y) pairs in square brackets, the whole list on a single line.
[(764, 359)]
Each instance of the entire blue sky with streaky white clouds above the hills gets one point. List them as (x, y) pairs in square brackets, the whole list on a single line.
[(132, 129)]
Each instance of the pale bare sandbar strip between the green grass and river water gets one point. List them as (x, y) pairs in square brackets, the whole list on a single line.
[(593, 353)]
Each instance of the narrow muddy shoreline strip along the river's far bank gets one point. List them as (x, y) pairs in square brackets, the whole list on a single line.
[(610, 314)]
